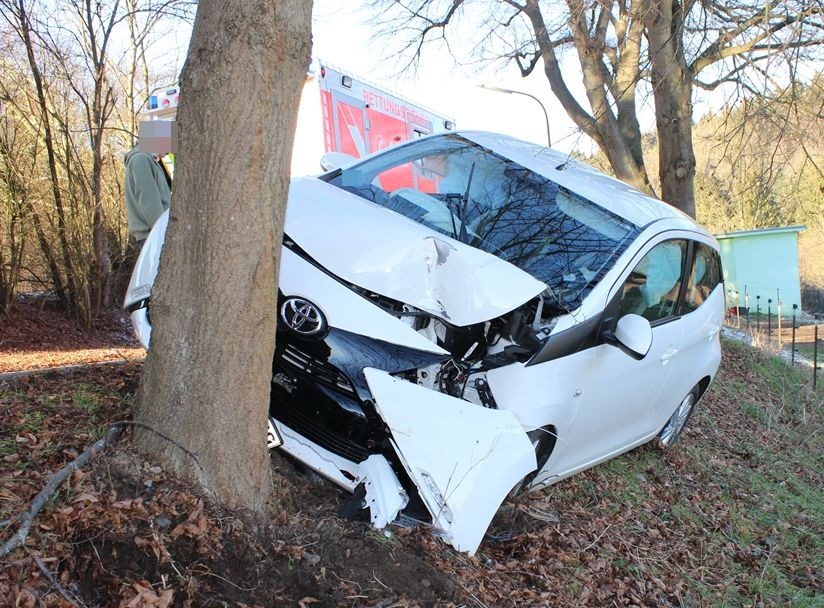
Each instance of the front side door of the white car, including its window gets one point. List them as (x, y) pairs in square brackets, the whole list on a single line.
[(614, 414)]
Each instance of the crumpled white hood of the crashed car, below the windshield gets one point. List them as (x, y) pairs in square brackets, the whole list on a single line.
[(386, 253)]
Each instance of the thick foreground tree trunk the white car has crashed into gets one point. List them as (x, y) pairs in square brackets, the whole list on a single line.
[(206, 380)]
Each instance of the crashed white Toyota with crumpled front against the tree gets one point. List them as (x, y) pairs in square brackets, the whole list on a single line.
[(466, 316)]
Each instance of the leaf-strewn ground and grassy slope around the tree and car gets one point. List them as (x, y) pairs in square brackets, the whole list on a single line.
[(731, 517)]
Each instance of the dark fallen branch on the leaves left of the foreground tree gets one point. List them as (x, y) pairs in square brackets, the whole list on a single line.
[(27, 518)]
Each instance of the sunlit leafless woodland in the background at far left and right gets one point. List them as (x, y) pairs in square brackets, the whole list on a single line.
[(75, 84)]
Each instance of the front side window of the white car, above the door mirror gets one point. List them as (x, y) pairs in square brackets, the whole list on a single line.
[(652, 288)]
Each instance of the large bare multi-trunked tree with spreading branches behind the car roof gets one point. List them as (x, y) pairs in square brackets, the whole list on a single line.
[(625, 46)]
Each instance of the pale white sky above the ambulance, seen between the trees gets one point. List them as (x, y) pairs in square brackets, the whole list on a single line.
[(343, 38)]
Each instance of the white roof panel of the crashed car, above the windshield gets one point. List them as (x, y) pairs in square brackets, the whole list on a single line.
[(578, 177)]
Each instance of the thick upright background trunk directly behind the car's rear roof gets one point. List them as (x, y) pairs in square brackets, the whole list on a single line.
[(672, 88)]
